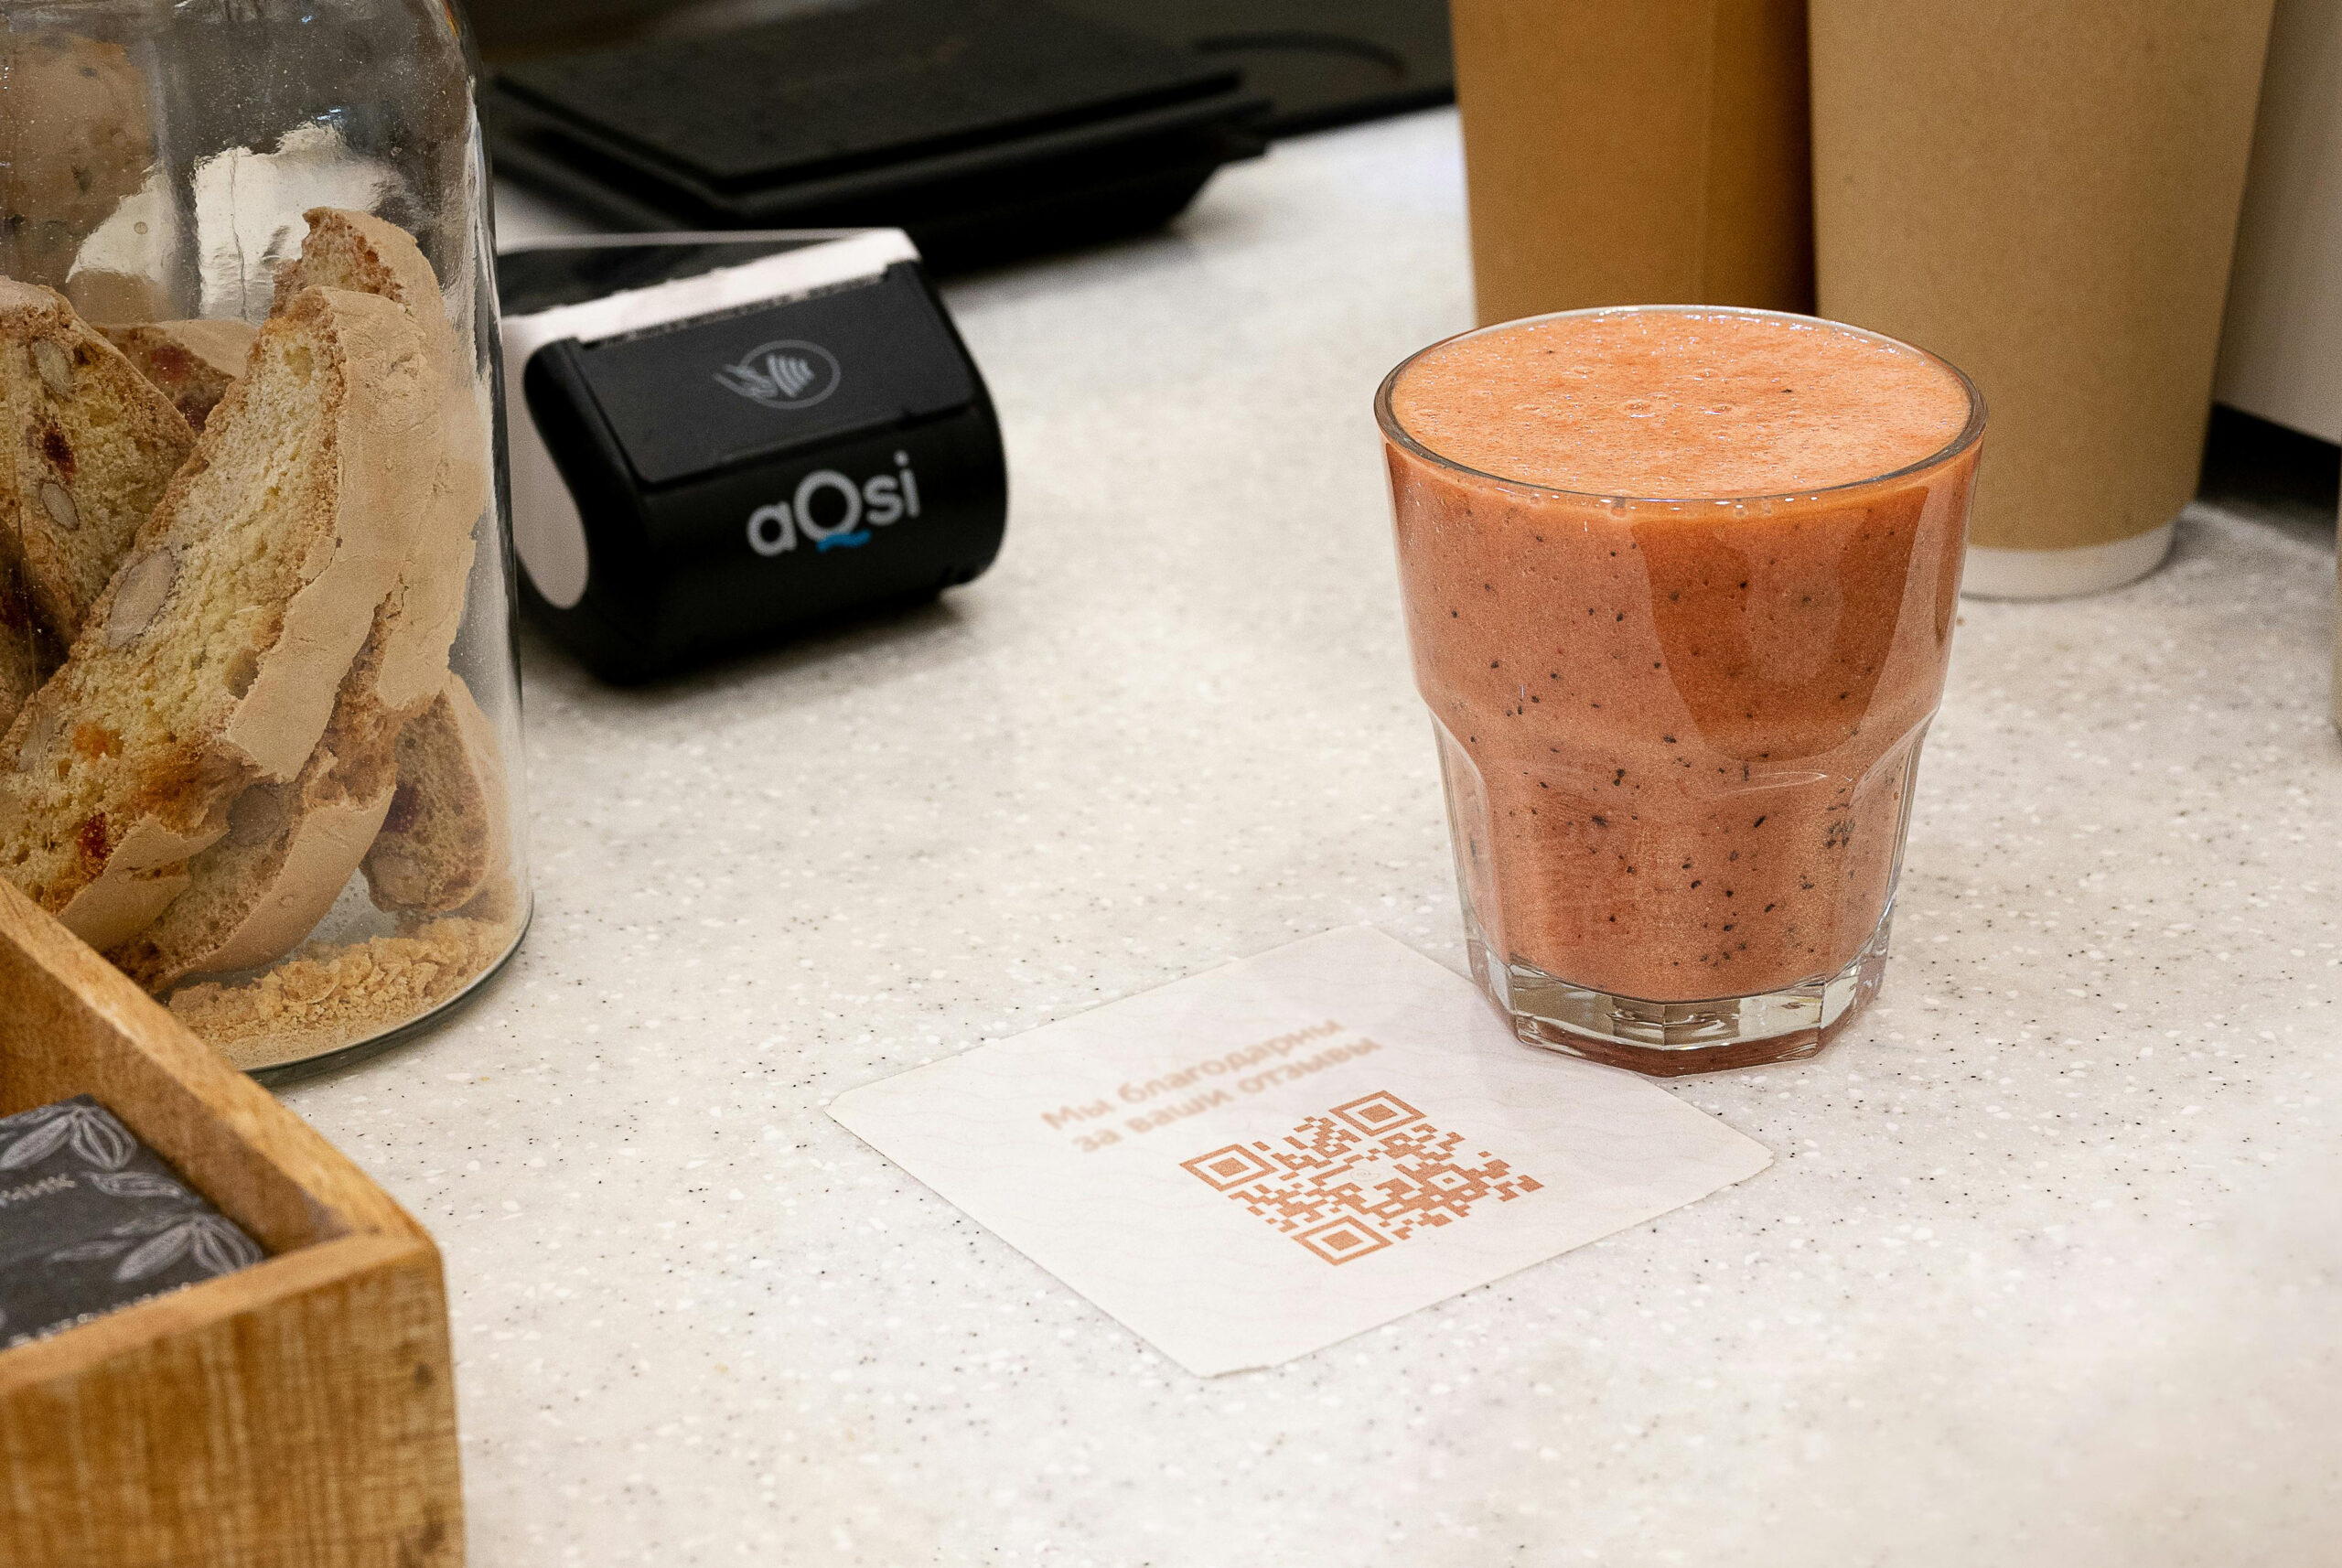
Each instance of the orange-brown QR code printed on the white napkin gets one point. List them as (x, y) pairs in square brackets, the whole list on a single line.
[(1362, 1178)]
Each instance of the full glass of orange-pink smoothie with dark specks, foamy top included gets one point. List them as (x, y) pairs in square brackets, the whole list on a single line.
[(1680, 589)]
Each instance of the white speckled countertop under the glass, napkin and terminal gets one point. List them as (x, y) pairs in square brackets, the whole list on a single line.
[(2050, 1270)]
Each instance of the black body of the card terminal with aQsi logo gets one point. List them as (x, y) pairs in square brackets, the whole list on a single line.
[(762, 472)]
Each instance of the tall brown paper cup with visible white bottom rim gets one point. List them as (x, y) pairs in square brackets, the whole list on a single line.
[(2048, 198)]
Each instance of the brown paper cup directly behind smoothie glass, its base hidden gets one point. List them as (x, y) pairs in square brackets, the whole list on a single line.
[(1636, 153)]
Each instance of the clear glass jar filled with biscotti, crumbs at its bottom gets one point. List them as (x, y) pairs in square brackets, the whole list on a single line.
[(256, 656)]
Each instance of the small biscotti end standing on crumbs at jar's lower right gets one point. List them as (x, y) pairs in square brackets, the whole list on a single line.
[(448, 832)]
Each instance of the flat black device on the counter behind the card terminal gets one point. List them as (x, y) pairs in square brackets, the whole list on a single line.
[(985, 128)]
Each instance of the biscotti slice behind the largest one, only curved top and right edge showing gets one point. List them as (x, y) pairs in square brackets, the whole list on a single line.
[(371, 256)]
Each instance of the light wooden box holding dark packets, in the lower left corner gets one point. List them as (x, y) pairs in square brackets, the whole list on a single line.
[(294, 1415)]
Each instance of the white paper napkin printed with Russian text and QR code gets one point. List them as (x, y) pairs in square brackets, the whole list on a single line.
[(1278, 1155)]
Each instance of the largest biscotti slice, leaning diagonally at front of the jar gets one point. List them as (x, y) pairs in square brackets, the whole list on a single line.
[(217, 654)]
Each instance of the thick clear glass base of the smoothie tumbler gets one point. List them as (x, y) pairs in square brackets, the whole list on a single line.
[(1678, 1038)]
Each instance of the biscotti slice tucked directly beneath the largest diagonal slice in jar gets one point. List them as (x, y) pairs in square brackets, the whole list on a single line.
[(289, 848)]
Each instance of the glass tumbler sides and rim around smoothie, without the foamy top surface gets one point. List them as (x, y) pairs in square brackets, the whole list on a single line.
[(1680, 734)]
